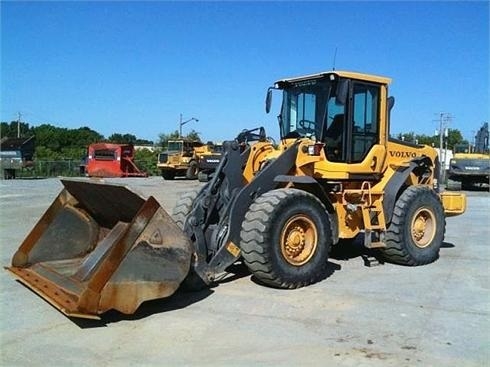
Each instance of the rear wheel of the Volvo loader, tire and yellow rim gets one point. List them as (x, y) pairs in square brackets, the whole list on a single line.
[(417, 228)]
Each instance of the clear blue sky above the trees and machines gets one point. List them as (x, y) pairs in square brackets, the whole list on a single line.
[(131, 67)]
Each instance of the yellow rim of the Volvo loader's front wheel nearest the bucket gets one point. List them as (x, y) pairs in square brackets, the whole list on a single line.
[(299, 239)]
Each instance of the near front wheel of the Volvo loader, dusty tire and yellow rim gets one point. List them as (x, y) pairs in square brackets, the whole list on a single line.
[(273, 221)]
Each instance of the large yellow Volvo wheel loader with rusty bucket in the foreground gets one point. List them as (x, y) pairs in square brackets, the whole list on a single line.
[(335, 174)]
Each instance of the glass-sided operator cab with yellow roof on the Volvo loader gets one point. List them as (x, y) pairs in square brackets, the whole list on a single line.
[(340, 109)]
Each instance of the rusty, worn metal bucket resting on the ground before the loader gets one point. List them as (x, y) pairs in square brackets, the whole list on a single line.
[(100, 247)]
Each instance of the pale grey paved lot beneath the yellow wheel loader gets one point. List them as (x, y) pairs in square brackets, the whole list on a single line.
[(434, 315)]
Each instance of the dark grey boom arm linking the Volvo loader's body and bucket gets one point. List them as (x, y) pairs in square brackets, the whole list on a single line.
[(214, 223)]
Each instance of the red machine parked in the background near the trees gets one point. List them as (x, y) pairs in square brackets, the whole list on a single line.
[(112, 160)]
